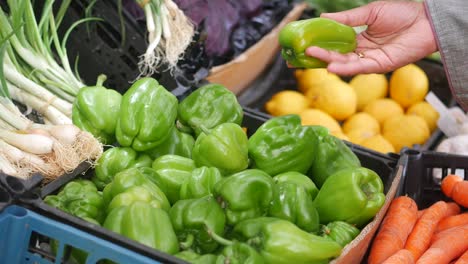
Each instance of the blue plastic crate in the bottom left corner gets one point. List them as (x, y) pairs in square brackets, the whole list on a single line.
[(21, 233)]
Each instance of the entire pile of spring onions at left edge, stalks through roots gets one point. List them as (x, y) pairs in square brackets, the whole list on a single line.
[(35, 71)]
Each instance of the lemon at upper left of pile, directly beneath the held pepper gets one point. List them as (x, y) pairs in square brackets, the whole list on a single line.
[(309, 78)]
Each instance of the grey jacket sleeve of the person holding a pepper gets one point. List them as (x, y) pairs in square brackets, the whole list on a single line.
[(449, 20)]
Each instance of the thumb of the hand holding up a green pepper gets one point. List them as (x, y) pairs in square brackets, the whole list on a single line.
[(354, 17)]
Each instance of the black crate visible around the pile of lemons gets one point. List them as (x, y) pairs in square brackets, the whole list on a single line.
[(279, 77)]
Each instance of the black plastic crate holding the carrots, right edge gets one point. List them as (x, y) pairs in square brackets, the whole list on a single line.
[(424, 171)]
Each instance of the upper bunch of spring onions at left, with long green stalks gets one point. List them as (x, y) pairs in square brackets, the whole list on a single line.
[(37, 59)]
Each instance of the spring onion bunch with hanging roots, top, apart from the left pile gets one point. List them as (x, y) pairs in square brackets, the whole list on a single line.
[(169, 34)]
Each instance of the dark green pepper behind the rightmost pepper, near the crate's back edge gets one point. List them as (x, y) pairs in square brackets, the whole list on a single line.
[(332, 156)]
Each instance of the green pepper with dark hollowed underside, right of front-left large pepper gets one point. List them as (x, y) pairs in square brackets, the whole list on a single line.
[(194, 219)]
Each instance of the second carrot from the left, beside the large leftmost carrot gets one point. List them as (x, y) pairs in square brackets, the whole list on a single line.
[(420, 238)]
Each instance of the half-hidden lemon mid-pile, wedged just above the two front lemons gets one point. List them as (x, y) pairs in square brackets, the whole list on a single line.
[(383, 108)]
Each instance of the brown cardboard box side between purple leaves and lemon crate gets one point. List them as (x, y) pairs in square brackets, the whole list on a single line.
[(237, 74)]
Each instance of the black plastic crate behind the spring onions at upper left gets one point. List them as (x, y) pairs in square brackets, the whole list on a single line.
[(103, 48)]
